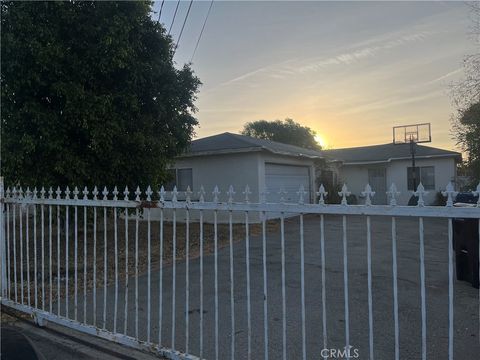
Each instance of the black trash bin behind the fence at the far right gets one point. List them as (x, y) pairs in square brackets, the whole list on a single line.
[(466, 242)]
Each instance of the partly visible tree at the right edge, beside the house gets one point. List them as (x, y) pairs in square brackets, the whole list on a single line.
[(467, 133)]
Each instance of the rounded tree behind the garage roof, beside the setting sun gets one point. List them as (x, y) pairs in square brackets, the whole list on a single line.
[(287, 132)]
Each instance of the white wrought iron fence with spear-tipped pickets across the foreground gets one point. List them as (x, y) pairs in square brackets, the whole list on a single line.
[(186, 290)]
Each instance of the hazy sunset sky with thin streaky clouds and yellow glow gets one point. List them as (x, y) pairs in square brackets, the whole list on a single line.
[(348, 70)]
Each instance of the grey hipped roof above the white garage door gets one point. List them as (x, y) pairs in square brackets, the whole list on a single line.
[(227, 143)]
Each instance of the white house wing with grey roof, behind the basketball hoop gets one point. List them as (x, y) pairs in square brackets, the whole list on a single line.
[(382, 165)]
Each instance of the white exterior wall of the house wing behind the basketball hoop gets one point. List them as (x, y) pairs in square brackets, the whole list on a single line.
[(356, 177)]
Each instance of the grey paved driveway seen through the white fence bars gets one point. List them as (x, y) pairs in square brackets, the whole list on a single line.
[(436, 258)]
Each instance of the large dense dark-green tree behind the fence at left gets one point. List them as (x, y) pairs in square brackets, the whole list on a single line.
[(91, 95)]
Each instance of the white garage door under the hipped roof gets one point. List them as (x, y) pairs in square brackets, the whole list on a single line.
[(288, 178)]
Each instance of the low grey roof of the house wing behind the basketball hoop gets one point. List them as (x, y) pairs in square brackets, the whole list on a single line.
[(386, 153)]
